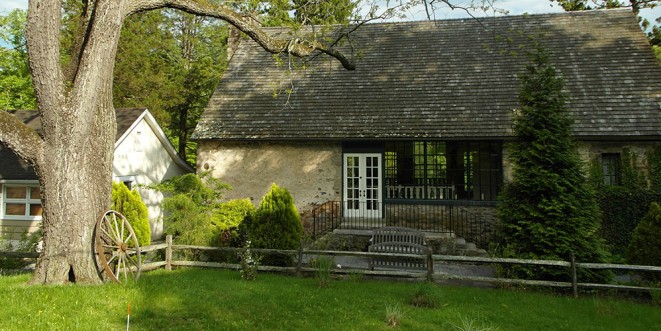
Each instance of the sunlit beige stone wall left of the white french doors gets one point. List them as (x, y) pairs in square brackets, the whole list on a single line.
[(311, 171)]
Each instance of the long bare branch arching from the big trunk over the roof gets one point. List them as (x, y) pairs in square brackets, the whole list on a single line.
[(296, 47)]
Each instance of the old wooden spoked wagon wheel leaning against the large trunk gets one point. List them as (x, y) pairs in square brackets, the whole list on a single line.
[(117, 247)]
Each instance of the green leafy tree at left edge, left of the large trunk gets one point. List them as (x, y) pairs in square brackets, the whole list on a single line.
[(16, 90)]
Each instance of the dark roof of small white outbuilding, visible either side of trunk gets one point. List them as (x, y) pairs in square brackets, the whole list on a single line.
[(13, 168)]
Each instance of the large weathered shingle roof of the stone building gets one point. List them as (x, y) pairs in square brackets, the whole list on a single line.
[(448, 79)]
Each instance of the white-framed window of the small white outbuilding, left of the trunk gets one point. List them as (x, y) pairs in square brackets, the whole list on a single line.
[(21, 202)]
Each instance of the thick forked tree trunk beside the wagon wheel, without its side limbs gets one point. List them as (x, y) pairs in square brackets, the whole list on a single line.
[(78, 120)]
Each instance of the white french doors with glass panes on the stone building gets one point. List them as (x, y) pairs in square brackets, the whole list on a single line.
[(362, 185)]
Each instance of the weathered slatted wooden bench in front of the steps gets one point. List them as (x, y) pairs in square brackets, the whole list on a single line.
[(398, 240)]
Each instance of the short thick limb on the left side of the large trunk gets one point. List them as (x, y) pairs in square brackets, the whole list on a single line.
[(20, 138)]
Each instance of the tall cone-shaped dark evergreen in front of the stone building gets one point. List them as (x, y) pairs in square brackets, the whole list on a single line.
[(549, 210)]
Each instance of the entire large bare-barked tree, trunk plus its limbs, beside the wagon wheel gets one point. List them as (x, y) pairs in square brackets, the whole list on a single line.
[(73, 156)]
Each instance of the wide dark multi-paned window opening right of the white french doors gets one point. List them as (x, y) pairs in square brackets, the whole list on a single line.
[(443, 170)]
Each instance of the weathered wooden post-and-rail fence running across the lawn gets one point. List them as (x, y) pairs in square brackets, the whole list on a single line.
[(428, 273)]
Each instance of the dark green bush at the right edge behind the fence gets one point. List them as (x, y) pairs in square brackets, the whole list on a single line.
[(646, 240)]
